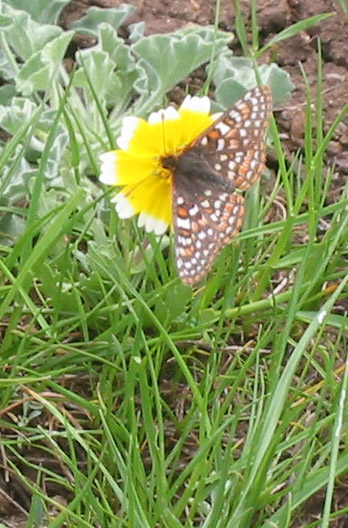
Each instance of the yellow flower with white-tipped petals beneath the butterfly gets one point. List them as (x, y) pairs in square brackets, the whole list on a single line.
[(137, 166)]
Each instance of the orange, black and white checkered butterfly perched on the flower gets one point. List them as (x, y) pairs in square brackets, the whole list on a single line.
[(227, 157)]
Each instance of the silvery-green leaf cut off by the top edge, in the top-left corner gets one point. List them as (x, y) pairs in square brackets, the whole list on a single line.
[(43, 11)]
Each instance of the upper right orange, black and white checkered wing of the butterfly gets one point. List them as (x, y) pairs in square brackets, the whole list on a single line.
[(235, 144)]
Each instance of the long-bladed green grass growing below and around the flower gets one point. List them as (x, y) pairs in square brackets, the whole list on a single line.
[(144, 403)]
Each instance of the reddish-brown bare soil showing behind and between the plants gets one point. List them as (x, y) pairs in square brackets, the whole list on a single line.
[(296, 55)]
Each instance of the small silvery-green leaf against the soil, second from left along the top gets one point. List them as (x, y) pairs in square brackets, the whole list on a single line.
[(88, 25)]
